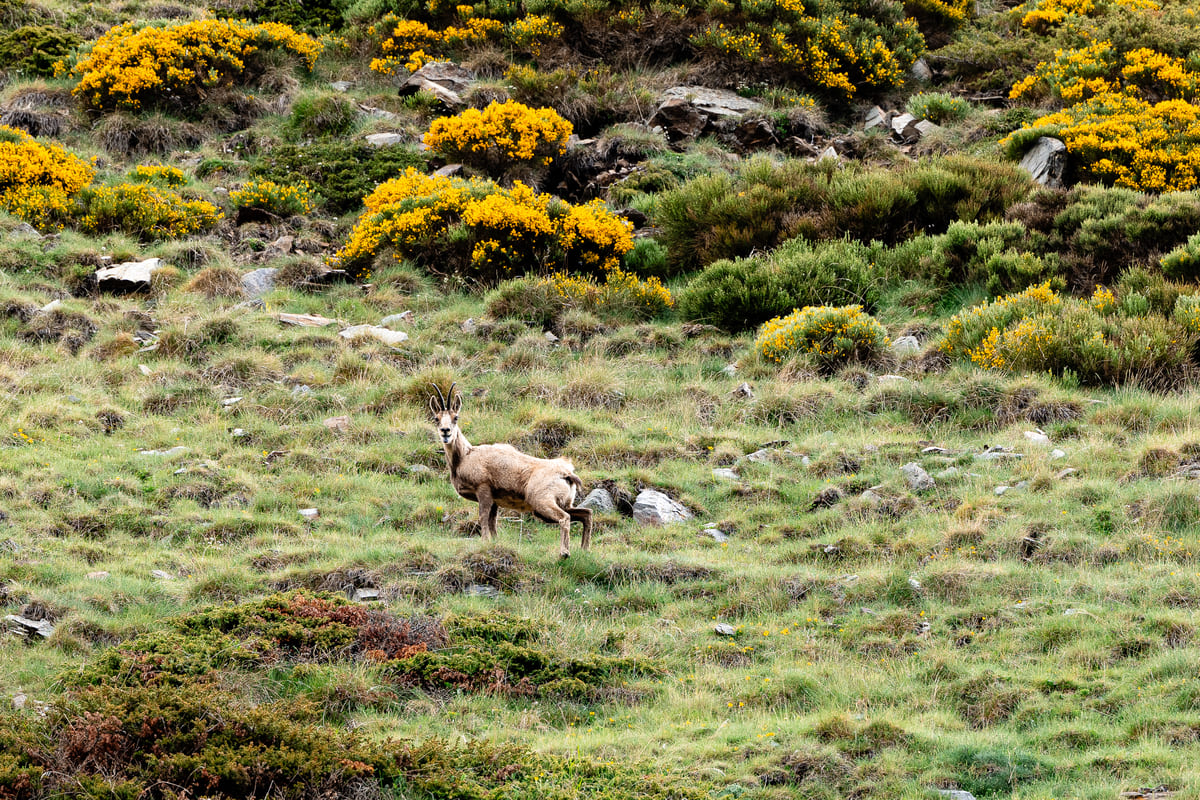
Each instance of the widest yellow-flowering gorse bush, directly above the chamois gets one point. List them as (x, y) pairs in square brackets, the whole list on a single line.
[(482, 230)]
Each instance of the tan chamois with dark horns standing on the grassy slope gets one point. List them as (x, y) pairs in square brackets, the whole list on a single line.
[(503, 477)]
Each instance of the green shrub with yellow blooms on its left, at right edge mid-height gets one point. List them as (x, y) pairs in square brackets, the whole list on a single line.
[(1041, 332)]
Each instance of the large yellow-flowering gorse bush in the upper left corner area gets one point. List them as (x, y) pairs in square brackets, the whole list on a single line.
[(134, 69)]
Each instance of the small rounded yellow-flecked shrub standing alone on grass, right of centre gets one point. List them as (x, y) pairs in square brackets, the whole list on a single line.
[(830, 336)]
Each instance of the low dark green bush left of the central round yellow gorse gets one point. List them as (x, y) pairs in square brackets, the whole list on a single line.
[(343, 173)]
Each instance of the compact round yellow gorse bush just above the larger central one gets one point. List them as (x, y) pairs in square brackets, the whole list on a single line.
[(500, 137)]
